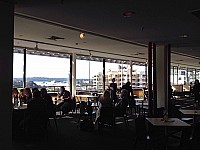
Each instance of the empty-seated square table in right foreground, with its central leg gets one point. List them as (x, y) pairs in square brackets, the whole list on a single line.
[(171, 122)]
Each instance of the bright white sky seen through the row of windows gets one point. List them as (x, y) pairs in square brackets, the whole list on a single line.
[(54, 67)]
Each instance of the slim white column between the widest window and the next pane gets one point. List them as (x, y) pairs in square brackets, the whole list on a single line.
[(73, 74)]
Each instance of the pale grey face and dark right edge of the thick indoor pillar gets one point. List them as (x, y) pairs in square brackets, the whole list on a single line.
[(163, 54)]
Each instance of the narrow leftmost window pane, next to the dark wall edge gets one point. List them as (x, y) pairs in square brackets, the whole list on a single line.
[(18, 64)]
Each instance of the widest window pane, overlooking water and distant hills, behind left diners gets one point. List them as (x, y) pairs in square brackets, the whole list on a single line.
[(49, 72)]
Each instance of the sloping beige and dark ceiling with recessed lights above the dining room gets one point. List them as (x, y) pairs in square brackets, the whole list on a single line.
[(107, 31)]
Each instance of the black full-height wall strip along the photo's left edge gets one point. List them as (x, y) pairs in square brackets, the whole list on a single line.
[(6, 73)]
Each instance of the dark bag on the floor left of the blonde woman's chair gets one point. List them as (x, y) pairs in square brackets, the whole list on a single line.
[(86, 125)]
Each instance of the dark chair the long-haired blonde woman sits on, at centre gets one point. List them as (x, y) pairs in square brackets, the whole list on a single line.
[(106, 118)]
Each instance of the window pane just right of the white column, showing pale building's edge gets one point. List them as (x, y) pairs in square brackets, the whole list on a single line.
[(89, 75)]
